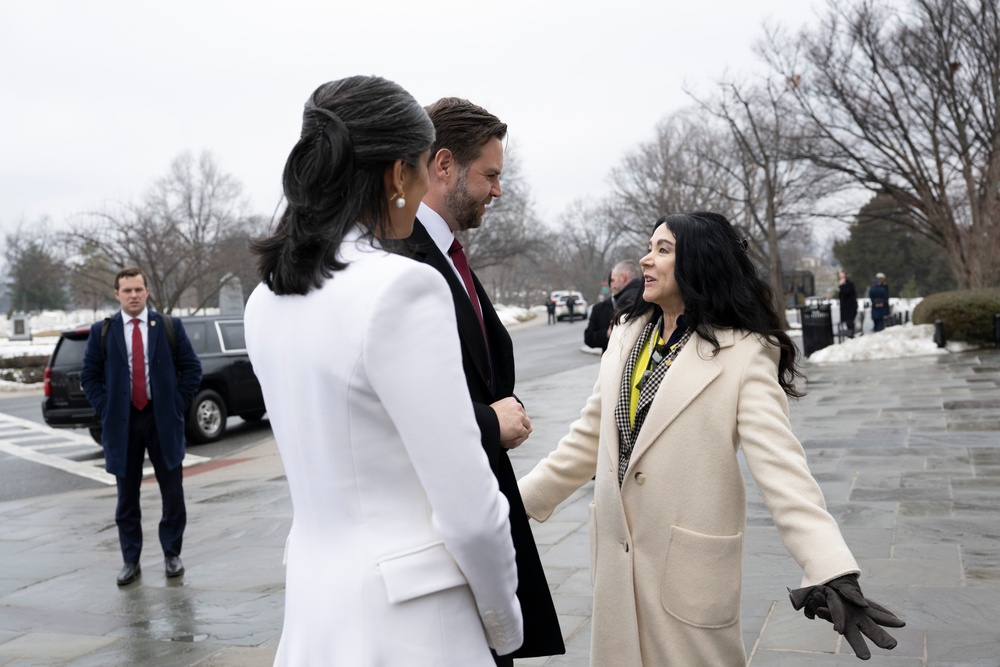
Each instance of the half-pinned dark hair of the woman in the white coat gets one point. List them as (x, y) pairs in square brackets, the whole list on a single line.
[(352, 129)]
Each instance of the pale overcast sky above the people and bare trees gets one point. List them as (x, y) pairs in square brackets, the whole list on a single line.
[(97, 97)]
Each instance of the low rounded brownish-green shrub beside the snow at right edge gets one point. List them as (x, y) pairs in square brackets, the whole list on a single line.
[(966, 314)]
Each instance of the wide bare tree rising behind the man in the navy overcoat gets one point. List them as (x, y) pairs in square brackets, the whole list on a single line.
[(180, 233)]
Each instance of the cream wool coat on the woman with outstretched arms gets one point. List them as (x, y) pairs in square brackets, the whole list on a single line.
[(667, 548)]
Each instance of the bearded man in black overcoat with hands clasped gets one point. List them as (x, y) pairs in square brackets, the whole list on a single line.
[(464, 173)]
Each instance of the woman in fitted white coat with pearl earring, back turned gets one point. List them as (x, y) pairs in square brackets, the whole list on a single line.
[(400, 550)]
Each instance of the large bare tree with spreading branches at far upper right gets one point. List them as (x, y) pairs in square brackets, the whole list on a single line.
[(903, 99)]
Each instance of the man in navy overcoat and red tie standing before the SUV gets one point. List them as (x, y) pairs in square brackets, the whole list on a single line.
[(140, 388)]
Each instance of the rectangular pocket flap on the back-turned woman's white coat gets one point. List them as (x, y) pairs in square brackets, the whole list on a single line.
[(426, 569)]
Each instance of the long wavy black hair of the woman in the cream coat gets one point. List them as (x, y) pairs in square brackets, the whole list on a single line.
[(720, 287)]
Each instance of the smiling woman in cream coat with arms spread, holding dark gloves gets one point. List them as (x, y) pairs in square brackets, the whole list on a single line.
[(696, 369)]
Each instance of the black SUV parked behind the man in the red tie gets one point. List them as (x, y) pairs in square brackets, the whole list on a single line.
[(228, 384)]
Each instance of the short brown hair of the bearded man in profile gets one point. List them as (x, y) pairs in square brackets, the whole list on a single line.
[(463, 128)]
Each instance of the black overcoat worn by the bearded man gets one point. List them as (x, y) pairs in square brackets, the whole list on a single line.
[(541, 626)]
